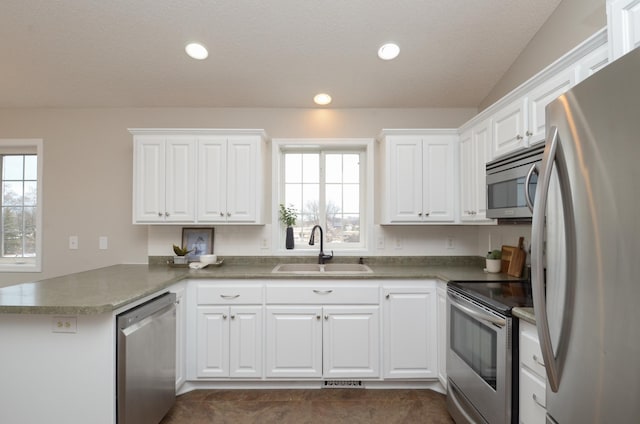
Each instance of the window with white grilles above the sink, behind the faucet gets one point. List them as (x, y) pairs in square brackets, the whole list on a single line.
[(326, 187)]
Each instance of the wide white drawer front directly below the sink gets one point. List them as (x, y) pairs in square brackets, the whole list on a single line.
[(325, 294)]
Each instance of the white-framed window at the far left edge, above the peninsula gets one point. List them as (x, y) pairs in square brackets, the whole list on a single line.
[(20, 173)]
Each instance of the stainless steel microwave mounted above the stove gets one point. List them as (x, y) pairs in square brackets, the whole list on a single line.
[(511, 184)]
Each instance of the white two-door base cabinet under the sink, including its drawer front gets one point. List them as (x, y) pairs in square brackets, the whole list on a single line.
[(320, 330)]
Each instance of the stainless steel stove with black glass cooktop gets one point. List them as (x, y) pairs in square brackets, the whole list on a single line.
[(482, 350)]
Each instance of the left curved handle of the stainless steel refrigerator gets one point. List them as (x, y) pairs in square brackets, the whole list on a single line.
[(537, 265)]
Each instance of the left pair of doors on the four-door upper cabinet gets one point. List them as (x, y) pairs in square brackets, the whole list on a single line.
[(164, 177)]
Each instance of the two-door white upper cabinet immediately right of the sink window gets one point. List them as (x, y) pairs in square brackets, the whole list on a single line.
[(419, 178)]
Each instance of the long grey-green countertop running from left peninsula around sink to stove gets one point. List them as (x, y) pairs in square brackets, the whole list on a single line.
[(105, 290)]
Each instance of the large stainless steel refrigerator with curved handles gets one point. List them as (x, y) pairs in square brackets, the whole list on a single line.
[(586, 249)]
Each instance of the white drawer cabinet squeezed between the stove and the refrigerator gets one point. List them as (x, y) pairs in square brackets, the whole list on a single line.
[(532, 377)]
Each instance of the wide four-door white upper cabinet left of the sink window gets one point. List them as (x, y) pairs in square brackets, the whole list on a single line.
[(223, 185)]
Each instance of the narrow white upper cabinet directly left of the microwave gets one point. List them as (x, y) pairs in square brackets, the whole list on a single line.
[(475, 152)]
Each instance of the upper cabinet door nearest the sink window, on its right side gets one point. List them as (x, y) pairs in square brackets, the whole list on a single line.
[(404, 188)]
